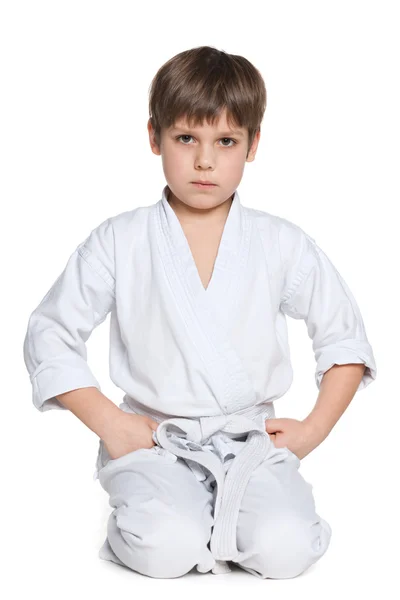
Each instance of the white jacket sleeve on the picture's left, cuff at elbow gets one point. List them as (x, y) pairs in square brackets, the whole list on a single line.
[(54, 348)]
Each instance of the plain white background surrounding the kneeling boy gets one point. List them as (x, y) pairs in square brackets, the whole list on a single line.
[(74, 150)]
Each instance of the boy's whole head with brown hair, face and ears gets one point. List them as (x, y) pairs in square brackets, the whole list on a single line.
[(206, 108)]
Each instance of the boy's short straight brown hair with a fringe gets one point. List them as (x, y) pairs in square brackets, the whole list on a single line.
[(199, 83)]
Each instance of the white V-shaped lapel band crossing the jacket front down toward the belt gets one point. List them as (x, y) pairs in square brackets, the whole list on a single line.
[(207, 313)]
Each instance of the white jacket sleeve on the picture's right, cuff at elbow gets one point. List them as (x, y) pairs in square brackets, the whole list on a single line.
[(316, 292)]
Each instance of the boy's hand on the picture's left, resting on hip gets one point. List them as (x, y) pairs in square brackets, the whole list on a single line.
[(128, 433)]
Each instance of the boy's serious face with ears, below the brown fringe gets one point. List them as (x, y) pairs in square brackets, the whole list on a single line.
[(206, 152)]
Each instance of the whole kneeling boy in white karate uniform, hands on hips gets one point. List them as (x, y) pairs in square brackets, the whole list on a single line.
[(198, 286)]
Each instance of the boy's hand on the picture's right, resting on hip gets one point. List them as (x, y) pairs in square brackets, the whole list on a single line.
[(299, 436)]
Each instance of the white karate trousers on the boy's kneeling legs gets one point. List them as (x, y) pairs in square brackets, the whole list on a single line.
[(163, 517)]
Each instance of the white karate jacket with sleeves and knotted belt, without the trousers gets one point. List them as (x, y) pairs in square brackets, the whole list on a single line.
[(207, 364)]
